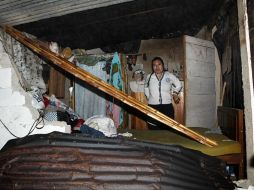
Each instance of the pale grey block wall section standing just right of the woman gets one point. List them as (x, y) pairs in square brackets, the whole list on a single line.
[(200, 96)]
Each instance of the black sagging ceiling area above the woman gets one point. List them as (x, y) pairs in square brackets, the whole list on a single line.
[(123, 22)]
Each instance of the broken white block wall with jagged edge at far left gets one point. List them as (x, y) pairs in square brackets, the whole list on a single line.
[(17, 113)]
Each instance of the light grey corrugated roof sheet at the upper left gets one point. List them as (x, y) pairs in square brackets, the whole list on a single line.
[(15, 12)]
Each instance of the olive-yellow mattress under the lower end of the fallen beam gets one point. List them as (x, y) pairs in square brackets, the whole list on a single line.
[(172, 137)]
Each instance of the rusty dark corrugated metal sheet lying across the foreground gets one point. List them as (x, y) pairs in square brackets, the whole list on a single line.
[(61, 161)]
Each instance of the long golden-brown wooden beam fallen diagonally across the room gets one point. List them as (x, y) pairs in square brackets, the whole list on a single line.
[(105, 87)]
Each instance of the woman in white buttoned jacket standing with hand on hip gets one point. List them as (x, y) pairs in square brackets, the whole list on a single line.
[(160, 87)]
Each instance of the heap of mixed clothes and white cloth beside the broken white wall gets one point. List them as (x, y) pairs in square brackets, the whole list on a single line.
[(52, 109)]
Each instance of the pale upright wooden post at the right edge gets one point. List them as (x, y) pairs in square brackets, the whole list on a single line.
[(247, 82)]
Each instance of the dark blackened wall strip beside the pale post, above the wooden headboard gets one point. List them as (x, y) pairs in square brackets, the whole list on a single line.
[(226, 39)]
